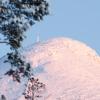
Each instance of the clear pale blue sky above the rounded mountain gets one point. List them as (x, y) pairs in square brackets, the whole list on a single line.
[(76, 19)]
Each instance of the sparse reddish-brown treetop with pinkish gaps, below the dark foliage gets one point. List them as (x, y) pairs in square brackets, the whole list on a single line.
[(34, 89)]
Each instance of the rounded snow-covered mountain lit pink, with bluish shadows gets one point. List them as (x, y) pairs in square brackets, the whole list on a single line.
[(69, 69)]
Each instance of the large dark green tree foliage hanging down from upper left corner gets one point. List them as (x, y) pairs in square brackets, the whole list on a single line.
[(16, 16)]
